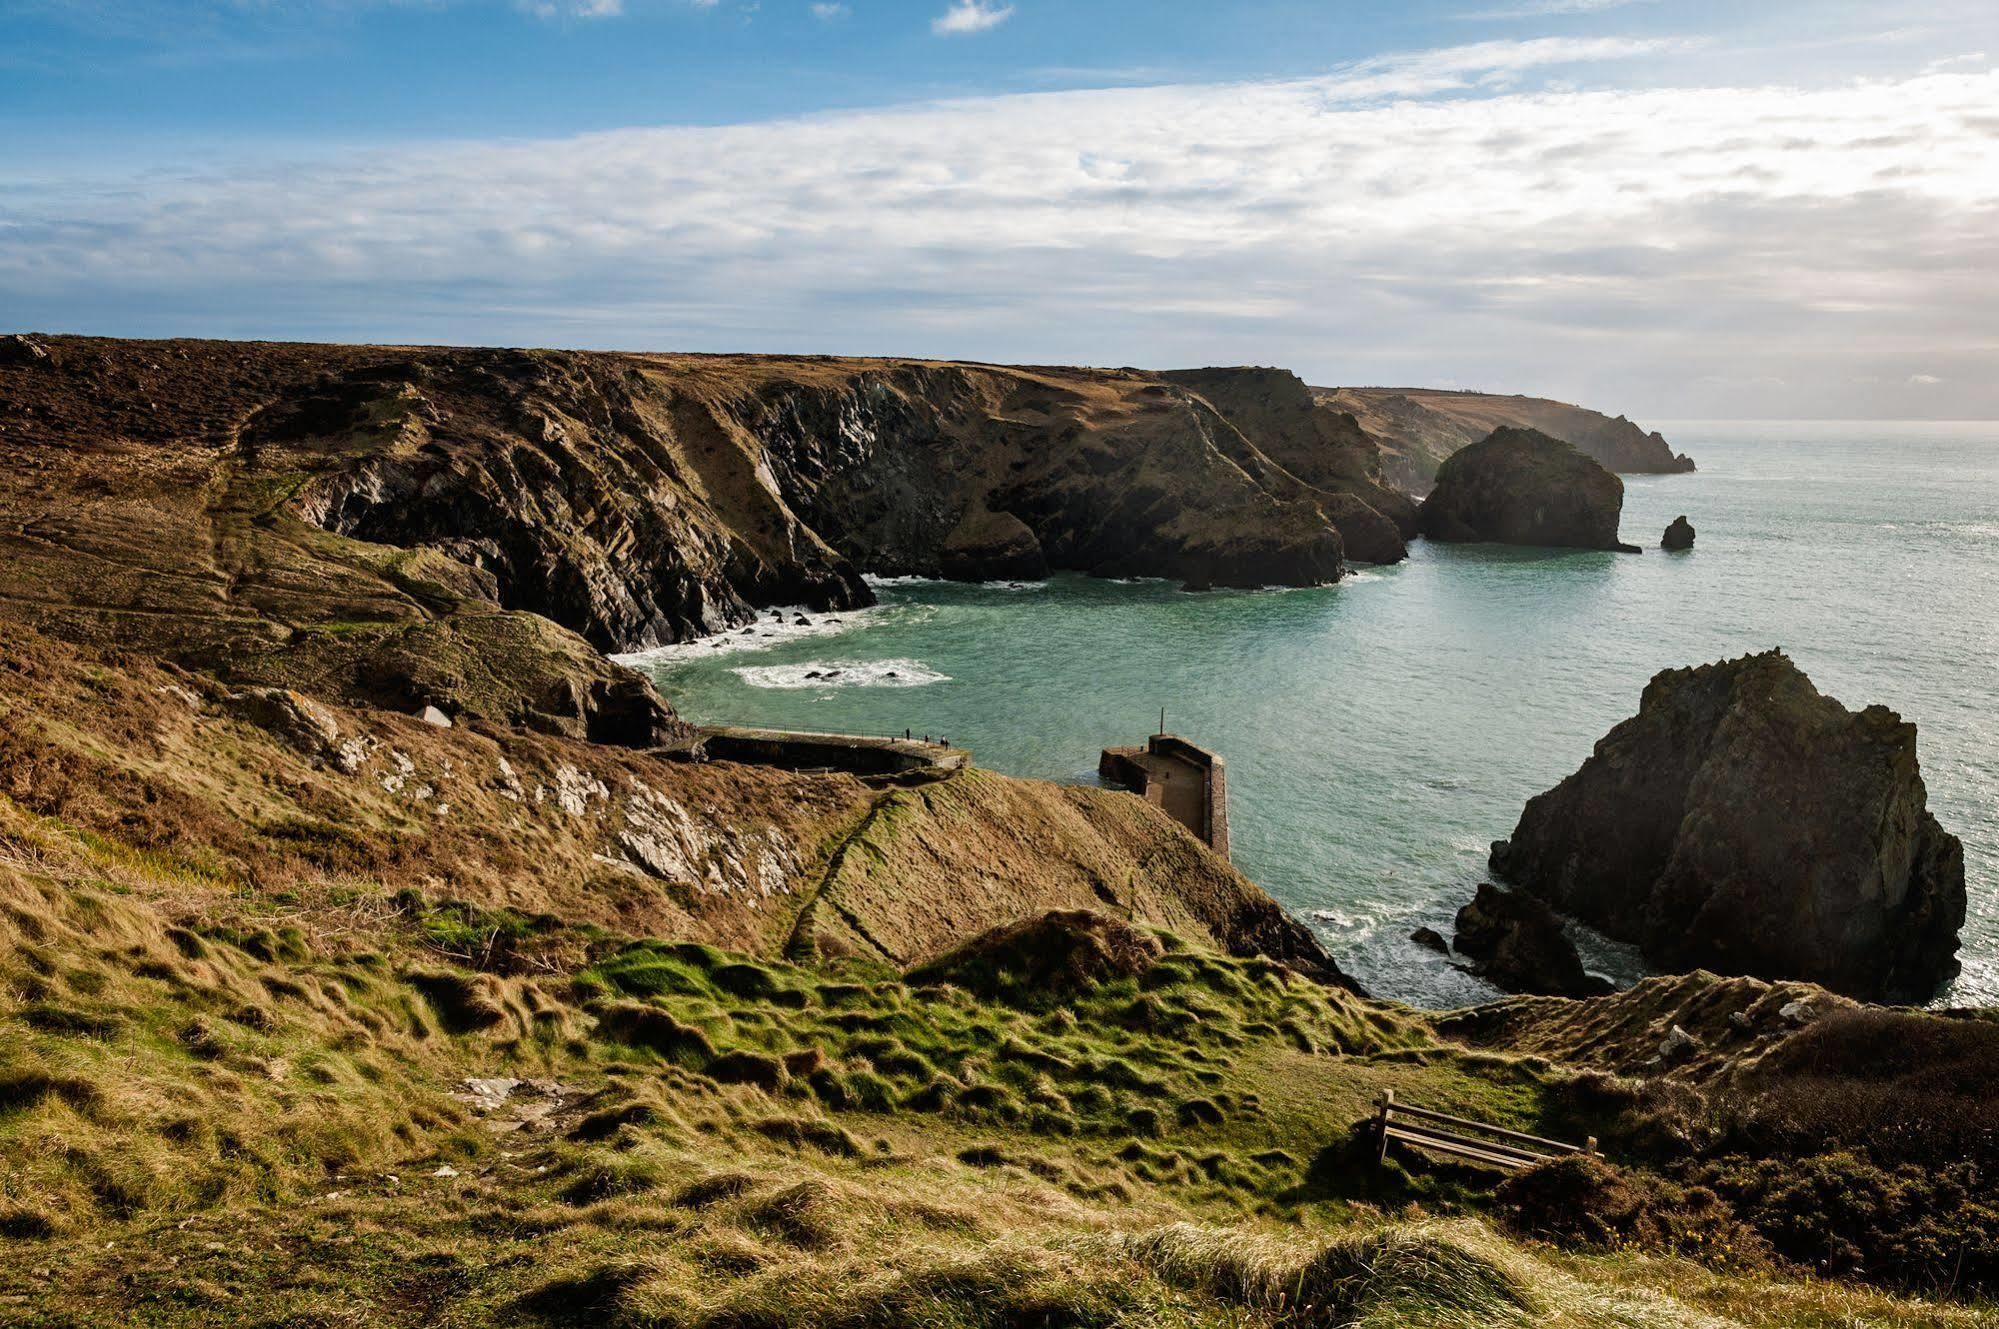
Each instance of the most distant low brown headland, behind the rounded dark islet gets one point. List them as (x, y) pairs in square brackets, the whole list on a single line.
[(1418, 429)]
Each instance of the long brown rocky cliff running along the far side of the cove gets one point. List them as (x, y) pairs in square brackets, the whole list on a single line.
[(641, 501)]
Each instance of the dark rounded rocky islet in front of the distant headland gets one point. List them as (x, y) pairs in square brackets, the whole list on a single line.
[(1520, 487)]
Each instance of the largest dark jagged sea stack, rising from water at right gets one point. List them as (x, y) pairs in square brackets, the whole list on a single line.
[(1744, 822)]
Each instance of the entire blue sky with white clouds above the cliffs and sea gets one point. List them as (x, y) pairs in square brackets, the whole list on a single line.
[(1670, 209)]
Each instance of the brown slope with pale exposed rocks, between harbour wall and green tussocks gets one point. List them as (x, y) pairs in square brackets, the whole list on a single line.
[(299, 790)]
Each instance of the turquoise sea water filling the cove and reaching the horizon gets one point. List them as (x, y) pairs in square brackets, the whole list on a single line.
[(1382, 732)]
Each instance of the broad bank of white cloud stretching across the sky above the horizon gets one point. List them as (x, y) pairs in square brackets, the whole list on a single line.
[(1688, 251)]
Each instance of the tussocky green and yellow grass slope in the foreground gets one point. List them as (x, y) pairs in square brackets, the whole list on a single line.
[(229, 1124)]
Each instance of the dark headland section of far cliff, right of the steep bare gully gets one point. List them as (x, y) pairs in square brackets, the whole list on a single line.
[(985, 473)]
